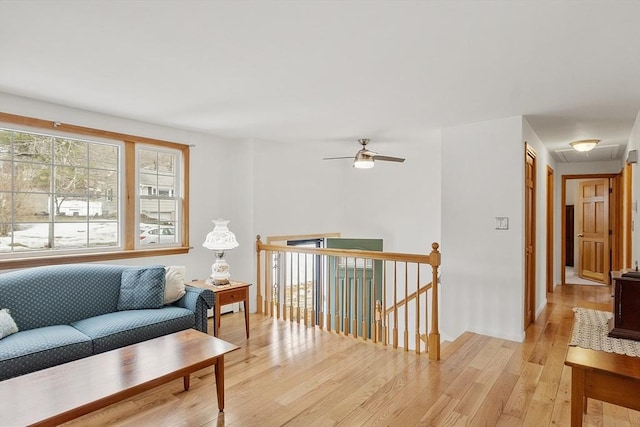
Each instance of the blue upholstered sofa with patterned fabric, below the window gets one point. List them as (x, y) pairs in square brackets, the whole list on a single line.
[(67, 312)]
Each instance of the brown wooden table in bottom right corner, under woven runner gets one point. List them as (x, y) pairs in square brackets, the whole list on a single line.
[(609, 377)]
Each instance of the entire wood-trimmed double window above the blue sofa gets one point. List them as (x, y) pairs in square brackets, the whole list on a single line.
[(80, 191)]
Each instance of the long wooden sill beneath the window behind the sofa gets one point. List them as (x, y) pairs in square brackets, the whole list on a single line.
[(88, 257)]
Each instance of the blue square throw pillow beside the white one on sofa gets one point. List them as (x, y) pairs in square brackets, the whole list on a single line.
[(141, 288)]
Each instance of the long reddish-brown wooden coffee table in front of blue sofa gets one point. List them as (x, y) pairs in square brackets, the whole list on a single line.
[(64, 392)]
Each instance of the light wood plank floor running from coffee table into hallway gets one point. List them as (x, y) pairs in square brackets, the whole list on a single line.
[(296, 376)]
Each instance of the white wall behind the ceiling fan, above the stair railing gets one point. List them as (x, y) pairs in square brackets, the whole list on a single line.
[(296, 192)]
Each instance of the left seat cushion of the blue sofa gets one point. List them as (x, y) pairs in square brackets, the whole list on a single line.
[(35, 349)]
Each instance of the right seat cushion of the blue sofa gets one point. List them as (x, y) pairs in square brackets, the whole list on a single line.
[(118, 329)]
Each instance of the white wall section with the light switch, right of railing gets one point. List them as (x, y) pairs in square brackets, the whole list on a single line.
[(482, 287)]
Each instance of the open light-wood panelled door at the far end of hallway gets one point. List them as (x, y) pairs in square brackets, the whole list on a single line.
[(593, 230)]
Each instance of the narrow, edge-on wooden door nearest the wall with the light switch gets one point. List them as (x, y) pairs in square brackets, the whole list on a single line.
[(530, 238)]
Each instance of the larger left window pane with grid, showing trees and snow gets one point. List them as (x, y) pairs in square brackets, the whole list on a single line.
[(57, 192)]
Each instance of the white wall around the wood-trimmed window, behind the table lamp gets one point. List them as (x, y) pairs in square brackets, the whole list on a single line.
[(220, 182)]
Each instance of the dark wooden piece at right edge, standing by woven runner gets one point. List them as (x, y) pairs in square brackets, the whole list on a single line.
[(626, 308)]
